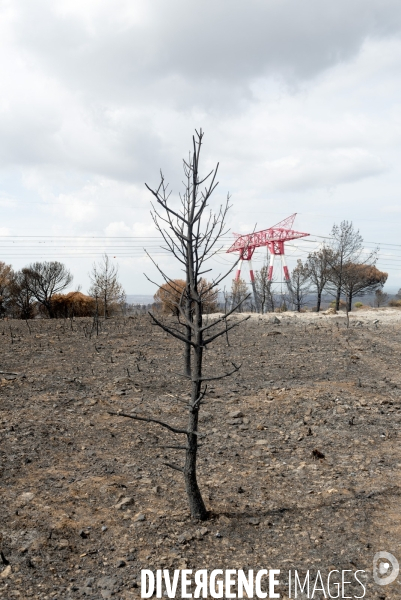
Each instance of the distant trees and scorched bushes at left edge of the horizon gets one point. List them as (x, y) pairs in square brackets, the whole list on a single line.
[(36, 290)]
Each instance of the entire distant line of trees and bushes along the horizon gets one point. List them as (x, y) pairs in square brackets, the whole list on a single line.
[(339, 268)]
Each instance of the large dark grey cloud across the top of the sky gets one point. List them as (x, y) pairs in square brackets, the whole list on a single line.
[(206, 43)]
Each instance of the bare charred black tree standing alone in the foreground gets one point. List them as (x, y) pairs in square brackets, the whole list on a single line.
[(191, 232)]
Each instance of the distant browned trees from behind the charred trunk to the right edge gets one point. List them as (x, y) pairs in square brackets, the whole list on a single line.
[(339, 268)]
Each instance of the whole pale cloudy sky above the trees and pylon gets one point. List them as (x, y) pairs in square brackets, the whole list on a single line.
[(300, 103)]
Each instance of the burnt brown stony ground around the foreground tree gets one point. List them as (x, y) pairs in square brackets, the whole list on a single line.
[(86, 501)]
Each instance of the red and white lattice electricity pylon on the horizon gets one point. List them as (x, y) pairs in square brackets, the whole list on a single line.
[(274, 239)]
